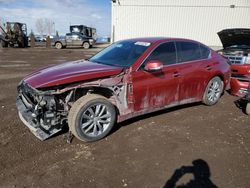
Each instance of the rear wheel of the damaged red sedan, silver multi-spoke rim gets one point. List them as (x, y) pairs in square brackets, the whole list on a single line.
[(213, 91)]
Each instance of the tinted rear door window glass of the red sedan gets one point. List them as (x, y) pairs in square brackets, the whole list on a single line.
[(188, 51)]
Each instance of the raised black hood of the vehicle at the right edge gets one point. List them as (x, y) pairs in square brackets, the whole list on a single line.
[(235, 37)]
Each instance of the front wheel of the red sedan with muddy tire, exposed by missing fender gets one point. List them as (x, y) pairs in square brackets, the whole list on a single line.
[(84, 118)]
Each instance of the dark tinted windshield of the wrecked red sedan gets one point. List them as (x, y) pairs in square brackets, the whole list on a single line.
[(122, 54)]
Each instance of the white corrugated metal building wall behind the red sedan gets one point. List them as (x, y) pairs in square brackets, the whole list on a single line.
[(195, 19)]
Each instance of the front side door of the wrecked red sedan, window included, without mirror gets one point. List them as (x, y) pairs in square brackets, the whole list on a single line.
[(157, 89)]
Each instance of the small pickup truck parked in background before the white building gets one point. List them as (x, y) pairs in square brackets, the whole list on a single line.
[(73, 39)]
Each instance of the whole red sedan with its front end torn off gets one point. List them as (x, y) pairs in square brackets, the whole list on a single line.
[(127, 79)]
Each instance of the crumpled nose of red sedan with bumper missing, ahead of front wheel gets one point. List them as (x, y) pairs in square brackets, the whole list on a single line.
[(39, 111)]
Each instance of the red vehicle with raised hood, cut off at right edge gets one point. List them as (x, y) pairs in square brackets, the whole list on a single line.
[(236, 47)]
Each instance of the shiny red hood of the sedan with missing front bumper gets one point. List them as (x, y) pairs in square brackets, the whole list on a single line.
[(70, 72)]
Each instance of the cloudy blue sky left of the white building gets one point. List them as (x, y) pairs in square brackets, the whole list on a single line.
[(94, 13)]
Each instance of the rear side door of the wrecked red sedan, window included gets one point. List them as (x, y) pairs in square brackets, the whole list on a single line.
[(195, 69)]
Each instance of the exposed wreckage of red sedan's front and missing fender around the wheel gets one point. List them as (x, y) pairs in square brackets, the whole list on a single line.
[(45, 111)]
